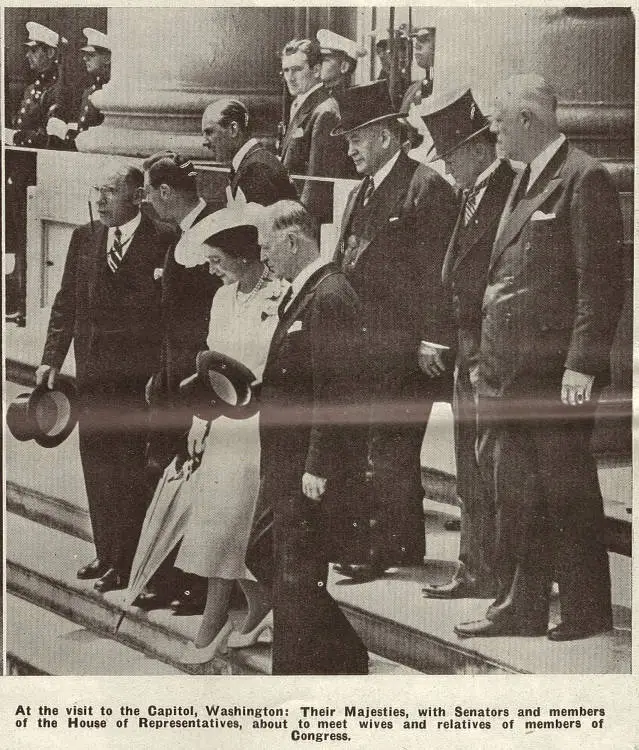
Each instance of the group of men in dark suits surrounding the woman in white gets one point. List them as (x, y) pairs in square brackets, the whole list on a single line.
[(513, 285)]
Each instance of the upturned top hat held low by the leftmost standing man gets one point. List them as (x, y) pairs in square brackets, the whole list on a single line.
[(45, 415)]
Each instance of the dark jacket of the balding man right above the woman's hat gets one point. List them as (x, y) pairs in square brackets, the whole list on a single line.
[(262, 178)]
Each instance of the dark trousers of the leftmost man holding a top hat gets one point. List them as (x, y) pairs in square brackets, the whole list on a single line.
[(117, 489)]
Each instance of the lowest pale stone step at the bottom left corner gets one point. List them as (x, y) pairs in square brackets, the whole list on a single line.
[(45, 643)]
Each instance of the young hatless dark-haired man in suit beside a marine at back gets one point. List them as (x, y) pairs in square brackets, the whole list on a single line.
[(307, 148)]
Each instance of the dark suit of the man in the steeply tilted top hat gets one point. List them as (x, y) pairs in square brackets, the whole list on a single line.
[(464, 273)]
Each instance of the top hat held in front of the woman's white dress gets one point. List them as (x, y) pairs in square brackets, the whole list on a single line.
[(222, 386)]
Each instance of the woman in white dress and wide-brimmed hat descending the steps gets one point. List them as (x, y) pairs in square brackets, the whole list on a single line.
[(224, 489)]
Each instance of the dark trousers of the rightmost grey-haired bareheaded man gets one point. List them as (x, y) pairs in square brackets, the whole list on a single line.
[(549, 515)]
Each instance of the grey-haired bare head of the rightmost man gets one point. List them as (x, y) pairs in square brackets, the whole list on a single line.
[(525, 116)]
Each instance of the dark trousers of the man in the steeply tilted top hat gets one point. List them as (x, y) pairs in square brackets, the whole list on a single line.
[(475, 497)]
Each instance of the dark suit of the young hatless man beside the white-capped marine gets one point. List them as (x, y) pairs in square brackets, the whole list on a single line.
[(309, 149)]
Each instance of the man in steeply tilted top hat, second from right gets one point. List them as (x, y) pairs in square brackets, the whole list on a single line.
[(462, 139)]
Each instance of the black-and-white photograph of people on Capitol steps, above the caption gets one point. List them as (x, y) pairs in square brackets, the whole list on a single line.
[(318, 334)]
